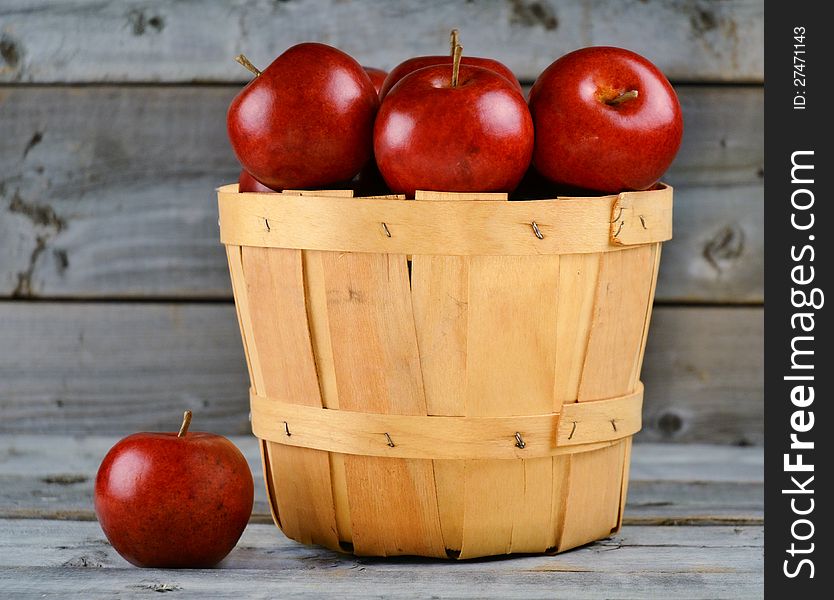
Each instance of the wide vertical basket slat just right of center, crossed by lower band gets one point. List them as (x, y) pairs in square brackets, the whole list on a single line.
[(505, 362)]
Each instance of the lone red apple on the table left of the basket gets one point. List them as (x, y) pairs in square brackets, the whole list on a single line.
[(172, 502)]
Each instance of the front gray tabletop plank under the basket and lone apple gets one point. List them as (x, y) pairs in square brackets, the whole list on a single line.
[(71, 559)]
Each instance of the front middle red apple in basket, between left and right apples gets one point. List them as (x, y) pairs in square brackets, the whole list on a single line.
[(476, 137)]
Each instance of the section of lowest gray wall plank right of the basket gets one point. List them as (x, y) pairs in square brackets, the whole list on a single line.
[(704, 372)]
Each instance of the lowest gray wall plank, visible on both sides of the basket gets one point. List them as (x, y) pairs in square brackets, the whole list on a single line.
[(122, 367)]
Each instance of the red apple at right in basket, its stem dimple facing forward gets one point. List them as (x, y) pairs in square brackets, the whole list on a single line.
[(582, 141)]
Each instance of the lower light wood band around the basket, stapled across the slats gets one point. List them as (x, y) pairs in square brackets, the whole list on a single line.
[(579, 427)]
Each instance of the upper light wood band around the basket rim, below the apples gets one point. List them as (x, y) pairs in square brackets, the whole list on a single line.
[(451, 228)]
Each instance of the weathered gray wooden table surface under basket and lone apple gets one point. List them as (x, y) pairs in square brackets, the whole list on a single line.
[(693, 529)]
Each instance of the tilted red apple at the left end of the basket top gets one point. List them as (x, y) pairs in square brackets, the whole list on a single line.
[(306, 121)]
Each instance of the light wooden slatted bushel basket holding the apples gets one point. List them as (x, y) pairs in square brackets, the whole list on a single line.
[(450, 376)]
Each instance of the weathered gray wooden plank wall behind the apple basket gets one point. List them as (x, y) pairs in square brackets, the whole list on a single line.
[(114, 296)]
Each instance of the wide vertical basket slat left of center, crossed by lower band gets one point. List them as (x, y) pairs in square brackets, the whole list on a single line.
[(377, 369)]
